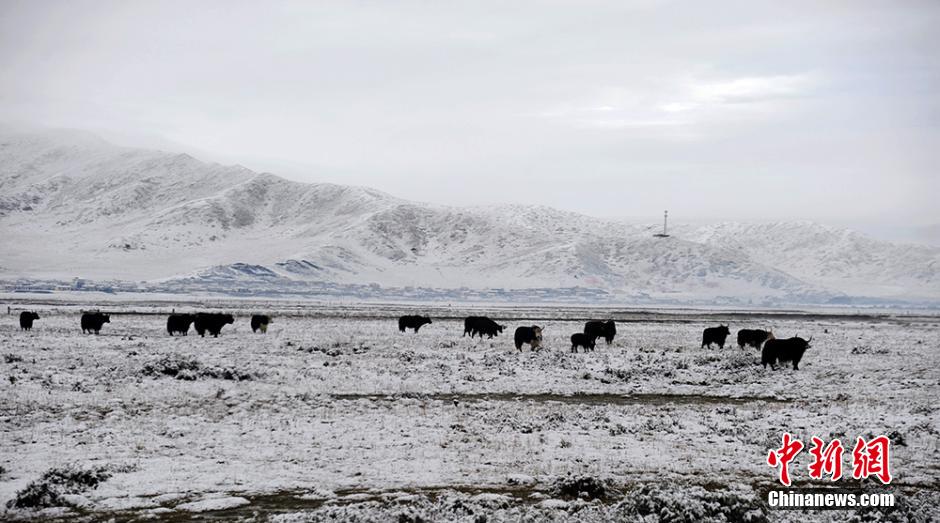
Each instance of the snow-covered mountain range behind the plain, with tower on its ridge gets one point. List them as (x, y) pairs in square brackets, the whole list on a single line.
[(72, 205)]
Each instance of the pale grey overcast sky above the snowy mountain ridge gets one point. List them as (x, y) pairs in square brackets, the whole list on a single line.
[(746, 110)]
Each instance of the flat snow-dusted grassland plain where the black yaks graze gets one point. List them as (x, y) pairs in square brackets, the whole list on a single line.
[(335, 414)]
